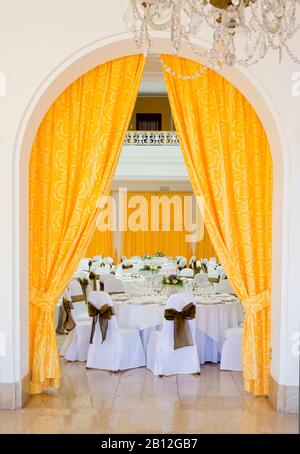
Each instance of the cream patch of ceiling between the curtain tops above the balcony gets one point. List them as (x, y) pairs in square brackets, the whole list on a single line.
[(153, 82)]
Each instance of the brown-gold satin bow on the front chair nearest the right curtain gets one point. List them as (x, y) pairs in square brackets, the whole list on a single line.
[(182, 331)]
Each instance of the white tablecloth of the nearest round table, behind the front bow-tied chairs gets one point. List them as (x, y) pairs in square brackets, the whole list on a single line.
[(212, 320)]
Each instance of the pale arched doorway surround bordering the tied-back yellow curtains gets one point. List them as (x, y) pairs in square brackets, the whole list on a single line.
[(62, 77)]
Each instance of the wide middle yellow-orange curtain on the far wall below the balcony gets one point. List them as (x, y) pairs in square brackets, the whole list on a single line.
[(147, 241)]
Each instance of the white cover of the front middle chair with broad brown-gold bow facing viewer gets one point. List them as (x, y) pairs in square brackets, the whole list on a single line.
[(162, 358)]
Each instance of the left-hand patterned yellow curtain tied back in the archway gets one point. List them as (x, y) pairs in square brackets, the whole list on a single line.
[(72, 163)]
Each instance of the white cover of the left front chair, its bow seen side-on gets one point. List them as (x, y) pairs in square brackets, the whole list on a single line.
[(122, 349)]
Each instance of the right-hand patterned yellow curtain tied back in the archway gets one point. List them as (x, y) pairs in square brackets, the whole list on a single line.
[(230, 165)]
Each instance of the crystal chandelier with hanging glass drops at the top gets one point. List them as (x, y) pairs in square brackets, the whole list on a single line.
[(242, 31)]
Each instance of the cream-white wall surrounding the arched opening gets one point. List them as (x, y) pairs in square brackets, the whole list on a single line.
[(39, 40)]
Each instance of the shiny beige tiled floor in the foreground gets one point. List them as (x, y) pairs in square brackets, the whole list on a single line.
[(93, 401)]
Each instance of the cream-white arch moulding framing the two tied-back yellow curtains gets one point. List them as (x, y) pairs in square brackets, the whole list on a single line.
[(69, 70)]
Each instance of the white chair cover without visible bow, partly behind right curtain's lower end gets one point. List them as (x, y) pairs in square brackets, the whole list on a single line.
[(231, 357)]
